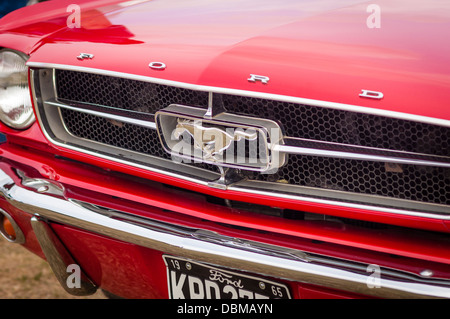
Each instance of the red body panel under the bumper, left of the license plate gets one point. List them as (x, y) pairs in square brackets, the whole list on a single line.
[(116, 266)]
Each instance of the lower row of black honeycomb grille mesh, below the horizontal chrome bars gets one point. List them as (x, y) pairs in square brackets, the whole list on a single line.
[(409, 182)]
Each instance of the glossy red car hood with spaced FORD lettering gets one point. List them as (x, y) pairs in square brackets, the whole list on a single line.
[(317, 50)]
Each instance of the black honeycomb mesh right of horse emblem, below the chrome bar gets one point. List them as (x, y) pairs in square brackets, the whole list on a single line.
[(411, 182)]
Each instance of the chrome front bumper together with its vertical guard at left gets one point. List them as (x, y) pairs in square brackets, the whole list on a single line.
[(44, 200)]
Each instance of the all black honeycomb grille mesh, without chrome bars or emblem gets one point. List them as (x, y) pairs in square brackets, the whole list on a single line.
[(418, 183)]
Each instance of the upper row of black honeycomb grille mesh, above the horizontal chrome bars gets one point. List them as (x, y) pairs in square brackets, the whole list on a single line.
[(297, 120)]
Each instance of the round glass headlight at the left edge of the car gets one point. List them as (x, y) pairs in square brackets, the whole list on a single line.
[(16, 110)]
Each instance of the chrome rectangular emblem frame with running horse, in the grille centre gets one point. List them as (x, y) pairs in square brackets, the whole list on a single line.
[(225, 140)]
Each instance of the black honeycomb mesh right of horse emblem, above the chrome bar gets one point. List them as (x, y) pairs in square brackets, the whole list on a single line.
[(345, 127)]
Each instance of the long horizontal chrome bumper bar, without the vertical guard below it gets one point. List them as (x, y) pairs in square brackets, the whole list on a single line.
[(215, 249)]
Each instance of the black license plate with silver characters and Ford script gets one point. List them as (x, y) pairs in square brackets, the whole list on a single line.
[(192, 280)]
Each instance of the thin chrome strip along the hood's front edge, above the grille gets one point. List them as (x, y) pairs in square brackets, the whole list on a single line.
[(196, 87)]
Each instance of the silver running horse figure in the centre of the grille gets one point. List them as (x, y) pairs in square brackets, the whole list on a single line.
[(212, 141)]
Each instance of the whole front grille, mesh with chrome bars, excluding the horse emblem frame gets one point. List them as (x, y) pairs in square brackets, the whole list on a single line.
[(319, 128)]
